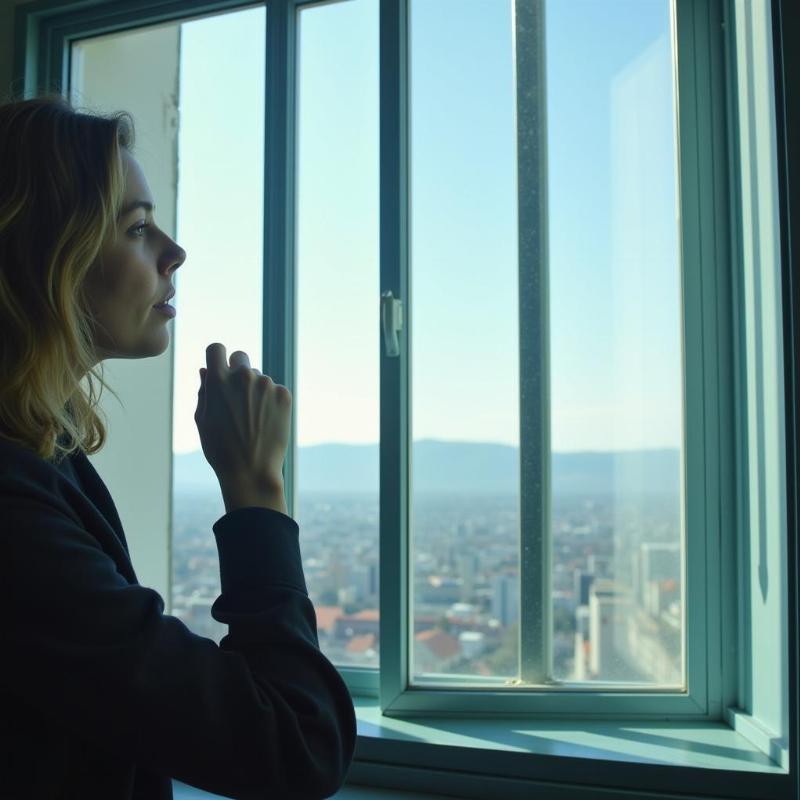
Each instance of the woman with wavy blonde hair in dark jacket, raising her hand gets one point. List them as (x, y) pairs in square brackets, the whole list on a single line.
[(103, 695)]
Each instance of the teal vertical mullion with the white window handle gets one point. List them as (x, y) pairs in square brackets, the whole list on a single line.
[(396, 605)]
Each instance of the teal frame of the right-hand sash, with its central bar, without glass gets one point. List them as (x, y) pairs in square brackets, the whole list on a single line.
[(700, 47)]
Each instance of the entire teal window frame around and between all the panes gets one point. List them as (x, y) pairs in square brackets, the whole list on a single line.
[(713, 392)]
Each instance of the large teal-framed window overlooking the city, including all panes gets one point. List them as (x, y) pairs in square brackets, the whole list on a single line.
[(512, 260)]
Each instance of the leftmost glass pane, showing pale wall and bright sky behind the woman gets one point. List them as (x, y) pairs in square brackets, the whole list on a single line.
[(205, 142)]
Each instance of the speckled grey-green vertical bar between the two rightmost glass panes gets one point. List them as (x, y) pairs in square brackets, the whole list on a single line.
[(535, 629)]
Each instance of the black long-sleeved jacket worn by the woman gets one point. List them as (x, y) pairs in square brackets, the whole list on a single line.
[(104, 696)]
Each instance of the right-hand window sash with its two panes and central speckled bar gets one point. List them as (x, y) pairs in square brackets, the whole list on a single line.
[(543, 568)]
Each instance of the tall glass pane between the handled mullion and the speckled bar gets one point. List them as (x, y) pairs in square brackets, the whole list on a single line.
[(464, 361)]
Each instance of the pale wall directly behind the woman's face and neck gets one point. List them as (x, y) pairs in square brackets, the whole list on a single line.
[(138, 72)]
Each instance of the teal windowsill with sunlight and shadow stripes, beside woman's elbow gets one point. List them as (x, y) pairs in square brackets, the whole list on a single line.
[(576, 752)]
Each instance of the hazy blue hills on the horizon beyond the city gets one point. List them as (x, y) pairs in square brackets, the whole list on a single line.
[(462, 467)]
